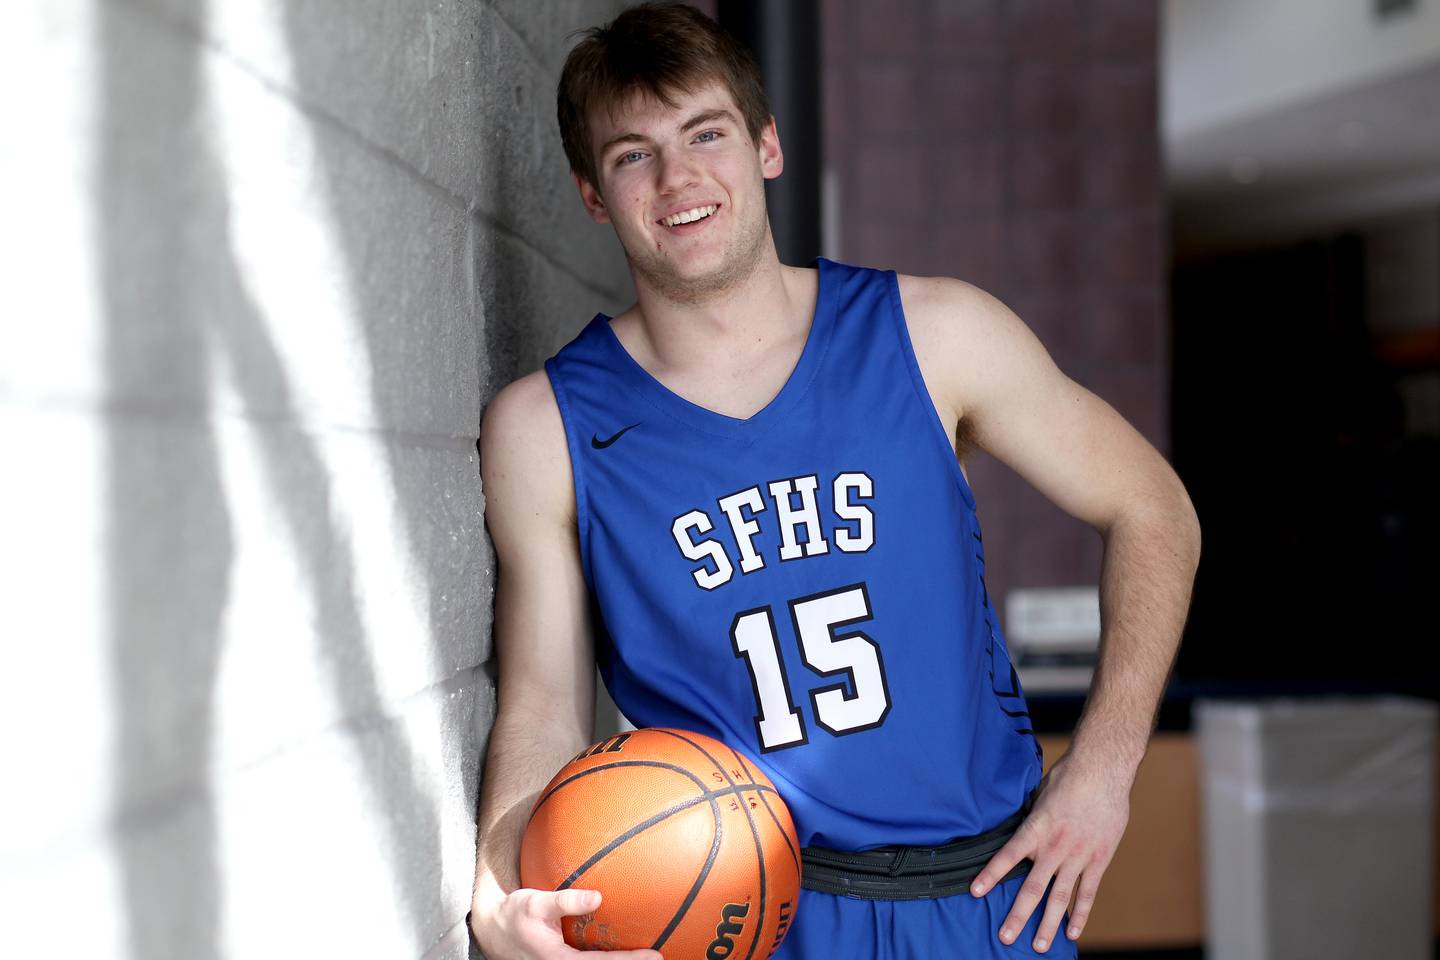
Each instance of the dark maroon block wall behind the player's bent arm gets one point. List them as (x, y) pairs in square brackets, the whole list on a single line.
[(1014, 145)]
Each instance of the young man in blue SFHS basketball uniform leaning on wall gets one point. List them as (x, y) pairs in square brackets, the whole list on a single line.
[(745, 489)]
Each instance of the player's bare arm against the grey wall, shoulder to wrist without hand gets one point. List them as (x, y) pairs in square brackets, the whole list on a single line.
[(542, 631)]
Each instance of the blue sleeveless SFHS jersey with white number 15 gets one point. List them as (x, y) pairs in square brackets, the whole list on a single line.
[(806, 585)]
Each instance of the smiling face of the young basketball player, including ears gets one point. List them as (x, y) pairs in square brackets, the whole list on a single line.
[(654, 162)]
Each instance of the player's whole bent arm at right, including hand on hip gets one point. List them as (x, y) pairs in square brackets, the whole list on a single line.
[(1091, 463)]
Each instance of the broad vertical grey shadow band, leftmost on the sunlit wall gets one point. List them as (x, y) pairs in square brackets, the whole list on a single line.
[(163, 496)]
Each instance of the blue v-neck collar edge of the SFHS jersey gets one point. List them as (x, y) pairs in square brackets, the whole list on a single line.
[(706, 420)]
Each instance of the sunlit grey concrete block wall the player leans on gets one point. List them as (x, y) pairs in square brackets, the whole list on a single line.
[(267, 263)]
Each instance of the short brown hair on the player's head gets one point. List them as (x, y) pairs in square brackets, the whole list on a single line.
[(656, 48)]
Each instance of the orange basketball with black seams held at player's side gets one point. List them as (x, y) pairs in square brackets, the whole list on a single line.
[(690, 846)]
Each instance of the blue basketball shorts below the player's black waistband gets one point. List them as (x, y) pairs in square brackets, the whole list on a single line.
[(960, 928)]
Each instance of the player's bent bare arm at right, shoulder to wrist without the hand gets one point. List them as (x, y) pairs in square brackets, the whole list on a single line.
[(1089, 461)]
